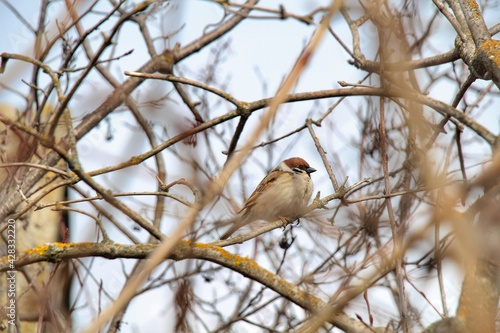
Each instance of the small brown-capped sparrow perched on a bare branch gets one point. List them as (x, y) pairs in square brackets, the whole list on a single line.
[(283, 194)]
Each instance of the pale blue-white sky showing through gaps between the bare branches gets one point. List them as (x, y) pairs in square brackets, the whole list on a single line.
[(258, 51)]
